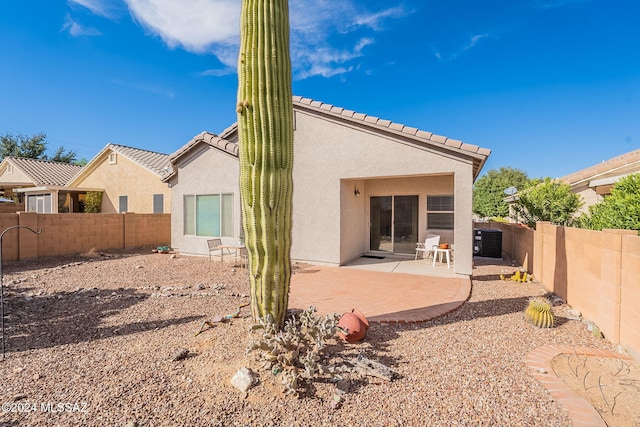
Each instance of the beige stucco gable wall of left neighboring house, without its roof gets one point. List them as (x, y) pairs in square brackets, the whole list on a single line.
[(125, 178)]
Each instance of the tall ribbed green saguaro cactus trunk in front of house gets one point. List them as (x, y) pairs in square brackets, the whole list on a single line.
[(265, 129)]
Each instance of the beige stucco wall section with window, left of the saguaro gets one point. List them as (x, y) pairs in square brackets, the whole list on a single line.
[(204, 170)]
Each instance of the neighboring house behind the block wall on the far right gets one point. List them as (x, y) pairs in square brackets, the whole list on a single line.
[(595, 182)]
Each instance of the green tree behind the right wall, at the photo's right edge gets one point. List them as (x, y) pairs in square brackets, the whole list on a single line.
[(620, 209)]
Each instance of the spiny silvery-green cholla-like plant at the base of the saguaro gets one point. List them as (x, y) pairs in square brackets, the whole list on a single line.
[(295, 353)]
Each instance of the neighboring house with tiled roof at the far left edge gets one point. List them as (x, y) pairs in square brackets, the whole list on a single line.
[(39, 183)]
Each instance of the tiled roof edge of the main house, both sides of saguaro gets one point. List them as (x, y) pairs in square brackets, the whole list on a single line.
[(227, 140)]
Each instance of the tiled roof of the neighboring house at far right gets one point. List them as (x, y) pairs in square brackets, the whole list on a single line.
[(610, 170)]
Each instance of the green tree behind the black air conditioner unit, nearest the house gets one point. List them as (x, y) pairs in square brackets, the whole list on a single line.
[(488, 191)]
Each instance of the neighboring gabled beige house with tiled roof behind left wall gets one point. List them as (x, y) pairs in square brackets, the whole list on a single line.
[(130, 179)]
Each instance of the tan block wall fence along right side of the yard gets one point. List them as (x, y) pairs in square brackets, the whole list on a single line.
[(596, 272)]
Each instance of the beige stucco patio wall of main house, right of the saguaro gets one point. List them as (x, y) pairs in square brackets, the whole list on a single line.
[(331, 157)]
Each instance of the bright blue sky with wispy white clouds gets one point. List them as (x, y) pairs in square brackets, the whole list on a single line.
[(550, 86)]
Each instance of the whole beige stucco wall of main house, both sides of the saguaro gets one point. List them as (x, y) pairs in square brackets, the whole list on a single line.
[(330, 224)]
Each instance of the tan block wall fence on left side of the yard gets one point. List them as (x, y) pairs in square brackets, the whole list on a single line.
[(69, 234)]
